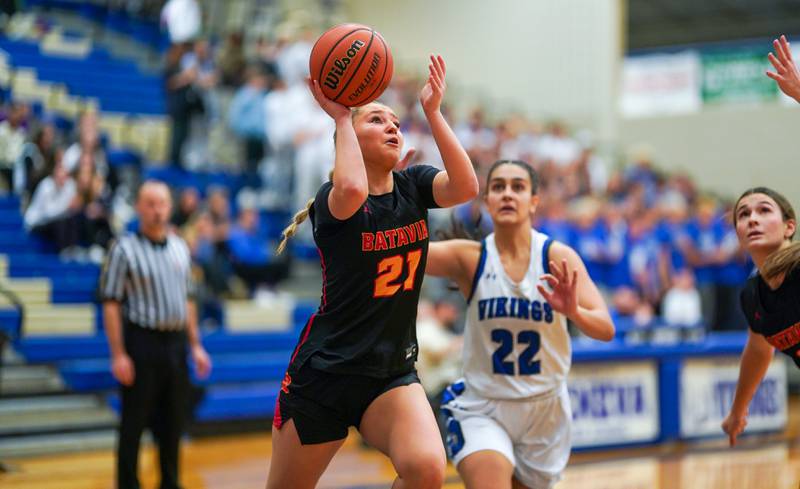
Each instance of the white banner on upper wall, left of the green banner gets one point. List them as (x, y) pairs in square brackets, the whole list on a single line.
[(661, 84)]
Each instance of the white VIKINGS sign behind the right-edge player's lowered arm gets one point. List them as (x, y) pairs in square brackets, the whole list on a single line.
[(707, 389)]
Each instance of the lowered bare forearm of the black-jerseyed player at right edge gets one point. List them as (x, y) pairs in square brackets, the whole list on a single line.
[(756, 358)]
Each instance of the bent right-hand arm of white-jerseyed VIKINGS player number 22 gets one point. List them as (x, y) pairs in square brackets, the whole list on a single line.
[(574, 294)]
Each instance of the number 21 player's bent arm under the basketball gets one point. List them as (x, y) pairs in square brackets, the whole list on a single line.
[(350, 188)]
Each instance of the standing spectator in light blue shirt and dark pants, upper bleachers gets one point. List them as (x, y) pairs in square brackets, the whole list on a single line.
[(248, 120)]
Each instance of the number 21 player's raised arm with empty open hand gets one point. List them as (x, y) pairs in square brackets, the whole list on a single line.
[(458, 183)]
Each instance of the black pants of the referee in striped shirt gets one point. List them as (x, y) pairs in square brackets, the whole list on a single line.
[(157, 399)]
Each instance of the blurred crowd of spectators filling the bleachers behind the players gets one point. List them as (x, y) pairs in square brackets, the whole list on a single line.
[(658, 246)]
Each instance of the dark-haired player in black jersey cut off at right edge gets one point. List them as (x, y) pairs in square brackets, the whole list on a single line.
[(765, 224)]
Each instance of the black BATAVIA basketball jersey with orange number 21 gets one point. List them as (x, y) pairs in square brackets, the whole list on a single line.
[(372, 269)]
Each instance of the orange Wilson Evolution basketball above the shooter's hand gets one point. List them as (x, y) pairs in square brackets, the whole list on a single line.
[(352, 63)]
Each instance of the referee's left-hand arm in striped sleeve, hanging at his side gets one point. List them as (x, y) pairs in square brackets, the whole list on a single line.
[(112, 289)]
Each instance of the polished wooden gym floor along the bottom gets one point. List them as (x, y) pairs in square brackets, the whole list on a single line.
[(239, 462)]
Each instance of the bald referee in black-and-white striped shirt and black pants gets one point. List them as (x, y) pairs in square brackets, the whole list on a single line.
[(145, 286)]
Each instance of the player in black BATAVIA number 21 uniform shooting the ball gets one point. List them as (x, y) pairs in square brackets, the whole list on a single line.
[(354, 362)]
